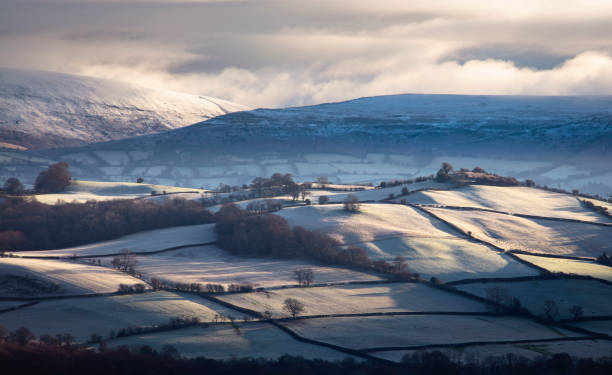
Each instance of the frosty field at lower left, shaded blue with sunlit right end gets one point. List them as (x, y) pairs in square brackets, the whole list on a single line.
[(83, 316)]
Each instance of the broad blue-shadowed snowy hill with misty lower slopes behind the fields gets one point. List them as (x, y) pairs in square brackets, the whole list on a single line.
[(558, 141)]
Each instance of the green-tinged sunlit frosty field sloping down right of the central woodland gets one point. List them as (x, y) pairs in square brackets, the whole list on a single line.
[(448, 259)]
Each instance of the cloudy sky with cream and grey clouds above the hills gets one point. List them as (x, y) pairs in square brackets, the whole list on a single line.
[(281, 53)]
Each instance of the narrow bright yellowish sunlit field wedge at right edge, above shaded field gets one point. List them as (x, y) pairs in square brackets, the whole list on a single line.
[(578, 267)]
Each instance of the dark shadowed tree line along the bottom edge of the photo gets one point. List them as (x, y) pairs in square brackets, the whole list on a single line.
[(42, 358)]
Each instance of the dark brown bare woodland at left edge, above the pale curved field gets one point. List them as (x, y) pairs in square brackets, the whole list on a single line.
[(26, 224)]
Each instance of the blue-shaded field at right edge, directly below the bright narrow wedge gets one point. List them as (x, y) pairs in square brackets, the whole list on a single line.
[(593, 296)]
